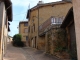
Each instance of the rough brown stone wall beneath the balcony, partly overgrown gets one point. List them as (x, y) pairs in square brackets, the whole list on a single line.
[(56, 43)]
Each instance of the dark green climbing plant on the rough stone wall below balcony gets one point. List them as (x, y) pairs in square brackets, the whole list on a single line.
[(60, 42)]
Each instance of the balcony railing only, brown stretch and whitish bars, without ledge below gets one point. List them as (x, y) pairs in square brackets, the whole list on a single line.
[(51, 21)]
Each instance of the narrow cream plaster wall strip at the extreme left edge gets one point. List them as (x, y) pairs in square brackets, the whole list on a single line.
[(2, 18)]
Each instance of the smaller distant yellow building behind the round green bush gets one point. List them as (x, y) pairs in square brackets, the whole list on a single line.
[(23, 30)]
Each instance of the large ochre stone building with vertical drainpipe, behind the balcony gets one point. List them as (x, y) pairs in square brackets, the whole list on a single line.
[(41, 13)]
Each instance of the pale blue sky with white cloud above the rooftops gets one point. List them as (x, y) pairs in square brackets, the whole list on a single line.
[(19, 9)]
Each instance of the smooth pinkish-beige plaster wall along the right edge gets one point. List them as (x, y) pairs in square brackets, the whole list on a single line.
[(76, 10)]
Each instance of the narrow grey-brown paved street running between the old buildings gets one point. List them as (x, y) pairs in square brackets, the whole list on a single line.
[(26, 53)]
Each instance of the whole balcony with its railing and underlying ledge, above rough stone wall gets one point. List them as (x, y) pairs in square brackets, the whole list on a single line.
[(53, 22)]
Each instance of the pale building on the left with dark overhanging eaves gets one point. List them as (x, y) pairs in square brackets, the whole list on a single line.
[(5, 17)]
